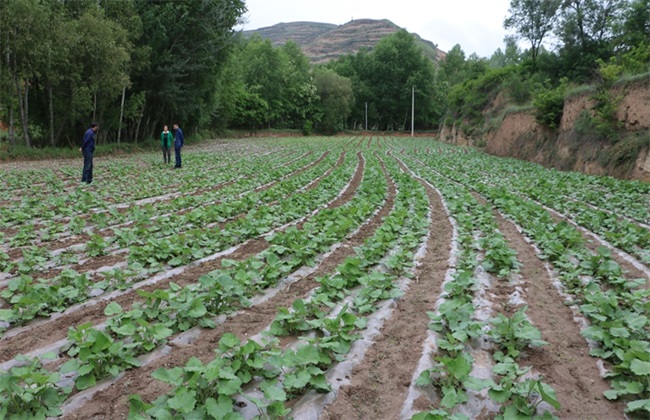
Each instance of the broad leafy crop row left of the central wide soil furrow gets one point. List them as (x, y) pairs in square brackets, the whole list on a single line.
[(325, 326)]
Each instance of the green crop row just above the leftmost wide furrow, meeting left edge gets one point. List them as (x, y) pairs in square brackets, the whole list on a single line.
[(148, 248)]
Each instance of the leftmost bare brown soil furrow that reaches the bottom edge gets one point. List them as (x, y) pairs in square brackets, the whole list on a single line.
[(112, 403)]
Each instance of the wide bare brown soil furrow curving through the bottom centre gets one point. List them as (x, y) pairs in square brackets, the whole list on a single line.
[(381, 381)]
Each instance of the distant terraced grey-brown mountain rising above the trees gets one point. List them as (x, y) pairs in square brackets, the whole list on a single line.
[(322, 42)]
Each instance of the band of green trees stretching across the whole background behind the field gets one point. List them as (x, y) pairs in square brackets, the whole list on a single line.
[(134, 65)]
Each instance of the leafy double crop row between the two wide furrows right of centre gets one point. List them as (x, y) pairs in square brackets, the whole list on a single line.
[(462, 388)]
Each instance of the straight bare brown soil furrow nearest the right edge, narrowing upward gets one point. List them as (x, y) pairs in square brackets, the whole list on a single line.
[(565, 362)]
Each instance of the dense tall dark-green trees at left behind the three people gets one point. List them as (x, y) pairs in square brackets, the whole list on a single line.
[(132, 65)]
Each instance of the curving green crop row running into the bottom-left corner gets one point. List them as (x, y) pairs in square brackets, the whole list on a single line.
[(95, 354)]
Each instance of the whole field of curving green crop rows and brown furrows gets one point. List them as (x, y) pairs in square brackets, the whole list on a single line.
[(334, 278)]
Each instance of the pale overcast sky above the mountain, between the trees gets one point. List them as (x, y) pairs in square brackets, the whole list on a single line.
[(477, 25)]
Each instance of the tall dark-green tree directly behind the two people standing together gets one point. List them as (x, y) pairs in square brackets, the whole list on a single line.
[(188, 44)]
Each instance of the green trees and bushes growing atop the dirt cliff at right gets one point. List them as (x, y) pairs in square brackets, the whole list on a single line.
[(595, 42)]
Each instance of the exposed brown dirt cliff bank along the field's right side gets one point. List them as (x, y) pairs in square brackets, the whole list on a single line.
[(627, 155)]
